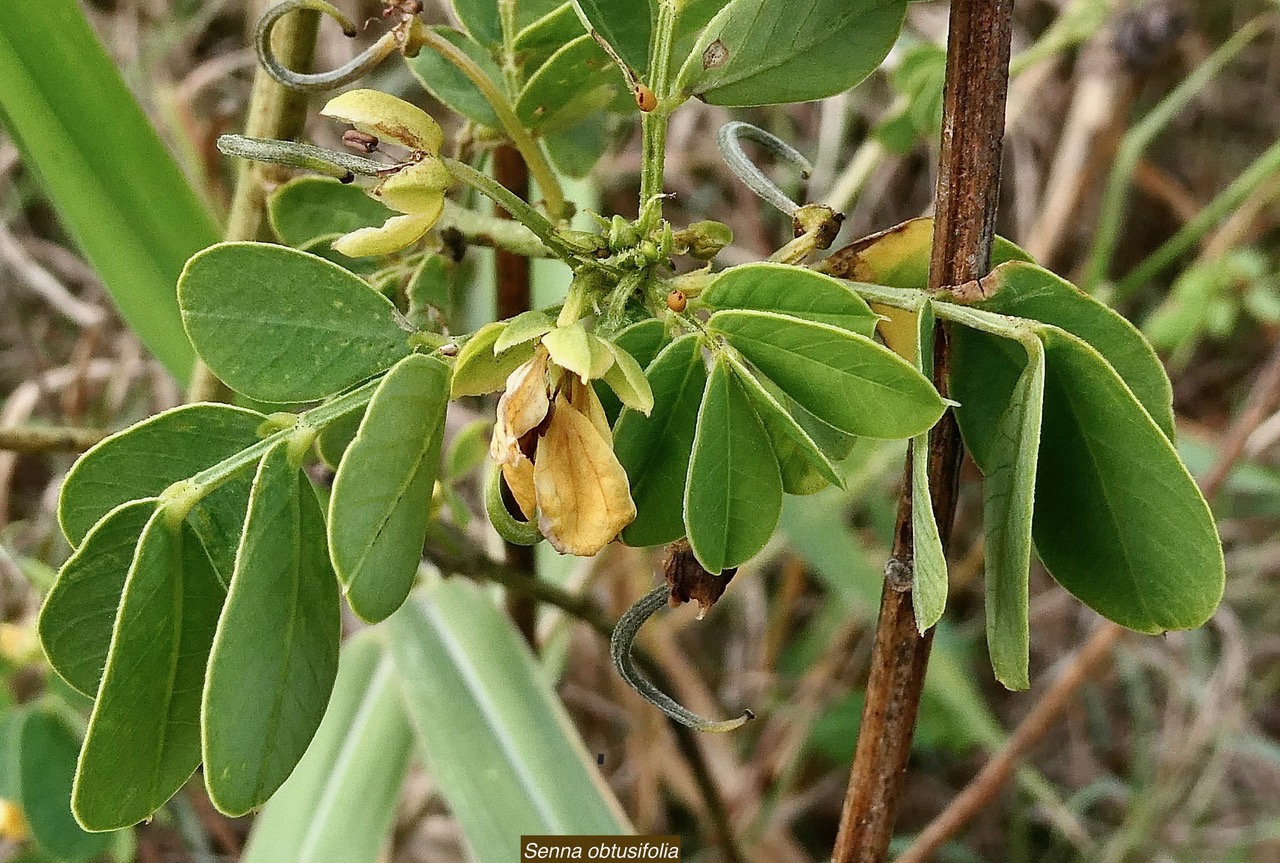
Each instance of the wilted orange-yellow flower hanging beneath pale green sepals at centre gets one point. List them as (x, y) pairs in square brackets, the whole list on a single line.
[(556, 451)]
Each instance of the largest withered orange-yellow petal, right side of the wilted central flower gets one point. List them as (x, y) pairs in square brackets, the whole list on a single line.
[(583, 494)]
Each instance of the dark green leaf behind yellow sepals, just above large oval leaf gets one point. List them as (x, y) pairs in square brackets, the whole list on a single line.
[(309, 208)]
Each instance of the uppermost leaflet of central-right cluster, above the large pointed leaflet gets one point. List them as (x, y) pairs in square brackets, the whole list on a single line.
[(792, 291)]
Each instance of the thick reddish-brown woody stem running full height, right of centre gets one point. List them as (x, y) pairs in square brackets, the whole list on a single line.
[(973, 126)]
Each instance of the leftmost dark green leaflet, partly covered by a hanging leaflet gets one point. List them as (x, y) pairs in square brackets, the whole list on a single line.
[(79, 615)]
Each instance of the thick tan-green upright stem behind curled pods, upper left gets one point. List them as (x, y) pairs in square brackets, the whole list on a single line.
[(275, 112)]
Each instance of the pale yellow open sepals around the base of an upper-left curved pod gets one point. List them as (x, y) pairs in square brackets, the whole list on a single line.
[(417, 190)]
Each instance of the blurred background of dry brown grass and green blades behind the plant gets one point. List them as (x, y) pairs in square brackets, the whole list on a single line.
[(1128, 168)]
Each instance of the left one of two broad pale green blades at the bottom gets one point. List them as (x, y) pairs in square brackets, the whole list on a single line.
[(341, 802)]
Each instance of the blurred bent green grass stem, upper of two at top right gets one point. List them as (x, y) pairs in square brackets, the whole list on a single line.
[(1136, 143)]
